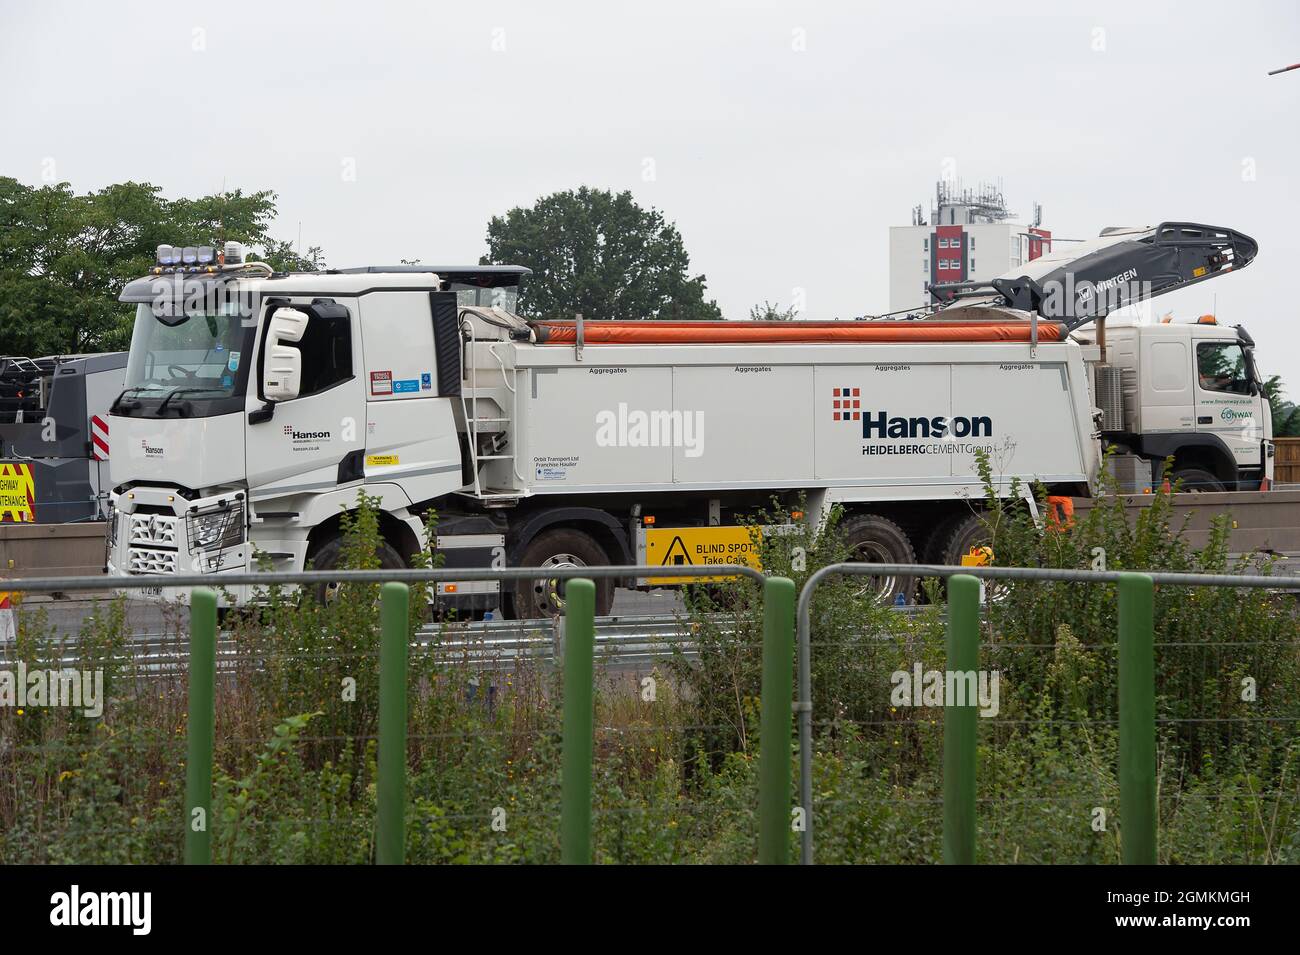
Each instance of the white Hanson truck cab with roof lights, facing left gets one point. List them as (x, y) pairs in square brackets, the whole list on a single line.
[(257, 405)]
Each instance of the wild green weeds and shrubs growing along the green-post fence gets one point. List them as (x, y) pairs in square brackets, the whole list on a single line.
[(675, 779)]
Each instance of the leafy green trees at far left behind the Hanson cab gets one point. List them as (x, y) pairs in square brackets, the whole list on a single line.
[(64, 258)]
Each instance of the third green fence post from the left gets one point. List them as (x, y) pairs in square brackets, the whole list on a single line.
[(579, 718)]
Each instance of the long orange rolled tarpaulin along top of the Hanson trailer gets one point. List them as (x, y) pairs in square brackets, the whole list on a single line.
[(725, 333)]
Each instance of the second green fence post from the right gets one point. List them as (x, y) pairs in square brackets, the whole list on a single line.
[(963, 646)]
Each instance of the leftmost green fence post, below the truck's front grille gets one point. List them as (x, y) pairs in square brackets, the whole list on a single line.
[(201, 727)]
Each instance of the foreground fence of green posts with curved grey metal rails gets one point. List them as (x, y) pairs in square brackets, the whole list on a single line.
[(786, 637)]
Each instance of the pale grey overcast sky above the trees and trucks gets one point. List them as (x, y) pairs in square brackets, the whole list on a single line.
[(783, 140)]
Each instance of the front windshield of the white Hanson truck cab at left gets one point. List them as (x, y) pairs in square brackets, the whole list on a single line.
[(197, 367)]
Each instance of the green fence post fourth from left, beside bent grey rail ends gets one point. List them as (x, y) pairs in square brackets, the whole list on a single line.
[(774, 754)]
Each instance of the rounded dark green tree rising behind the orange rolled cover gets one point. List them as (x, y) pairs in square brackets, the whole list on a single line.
[(599, 254)]
